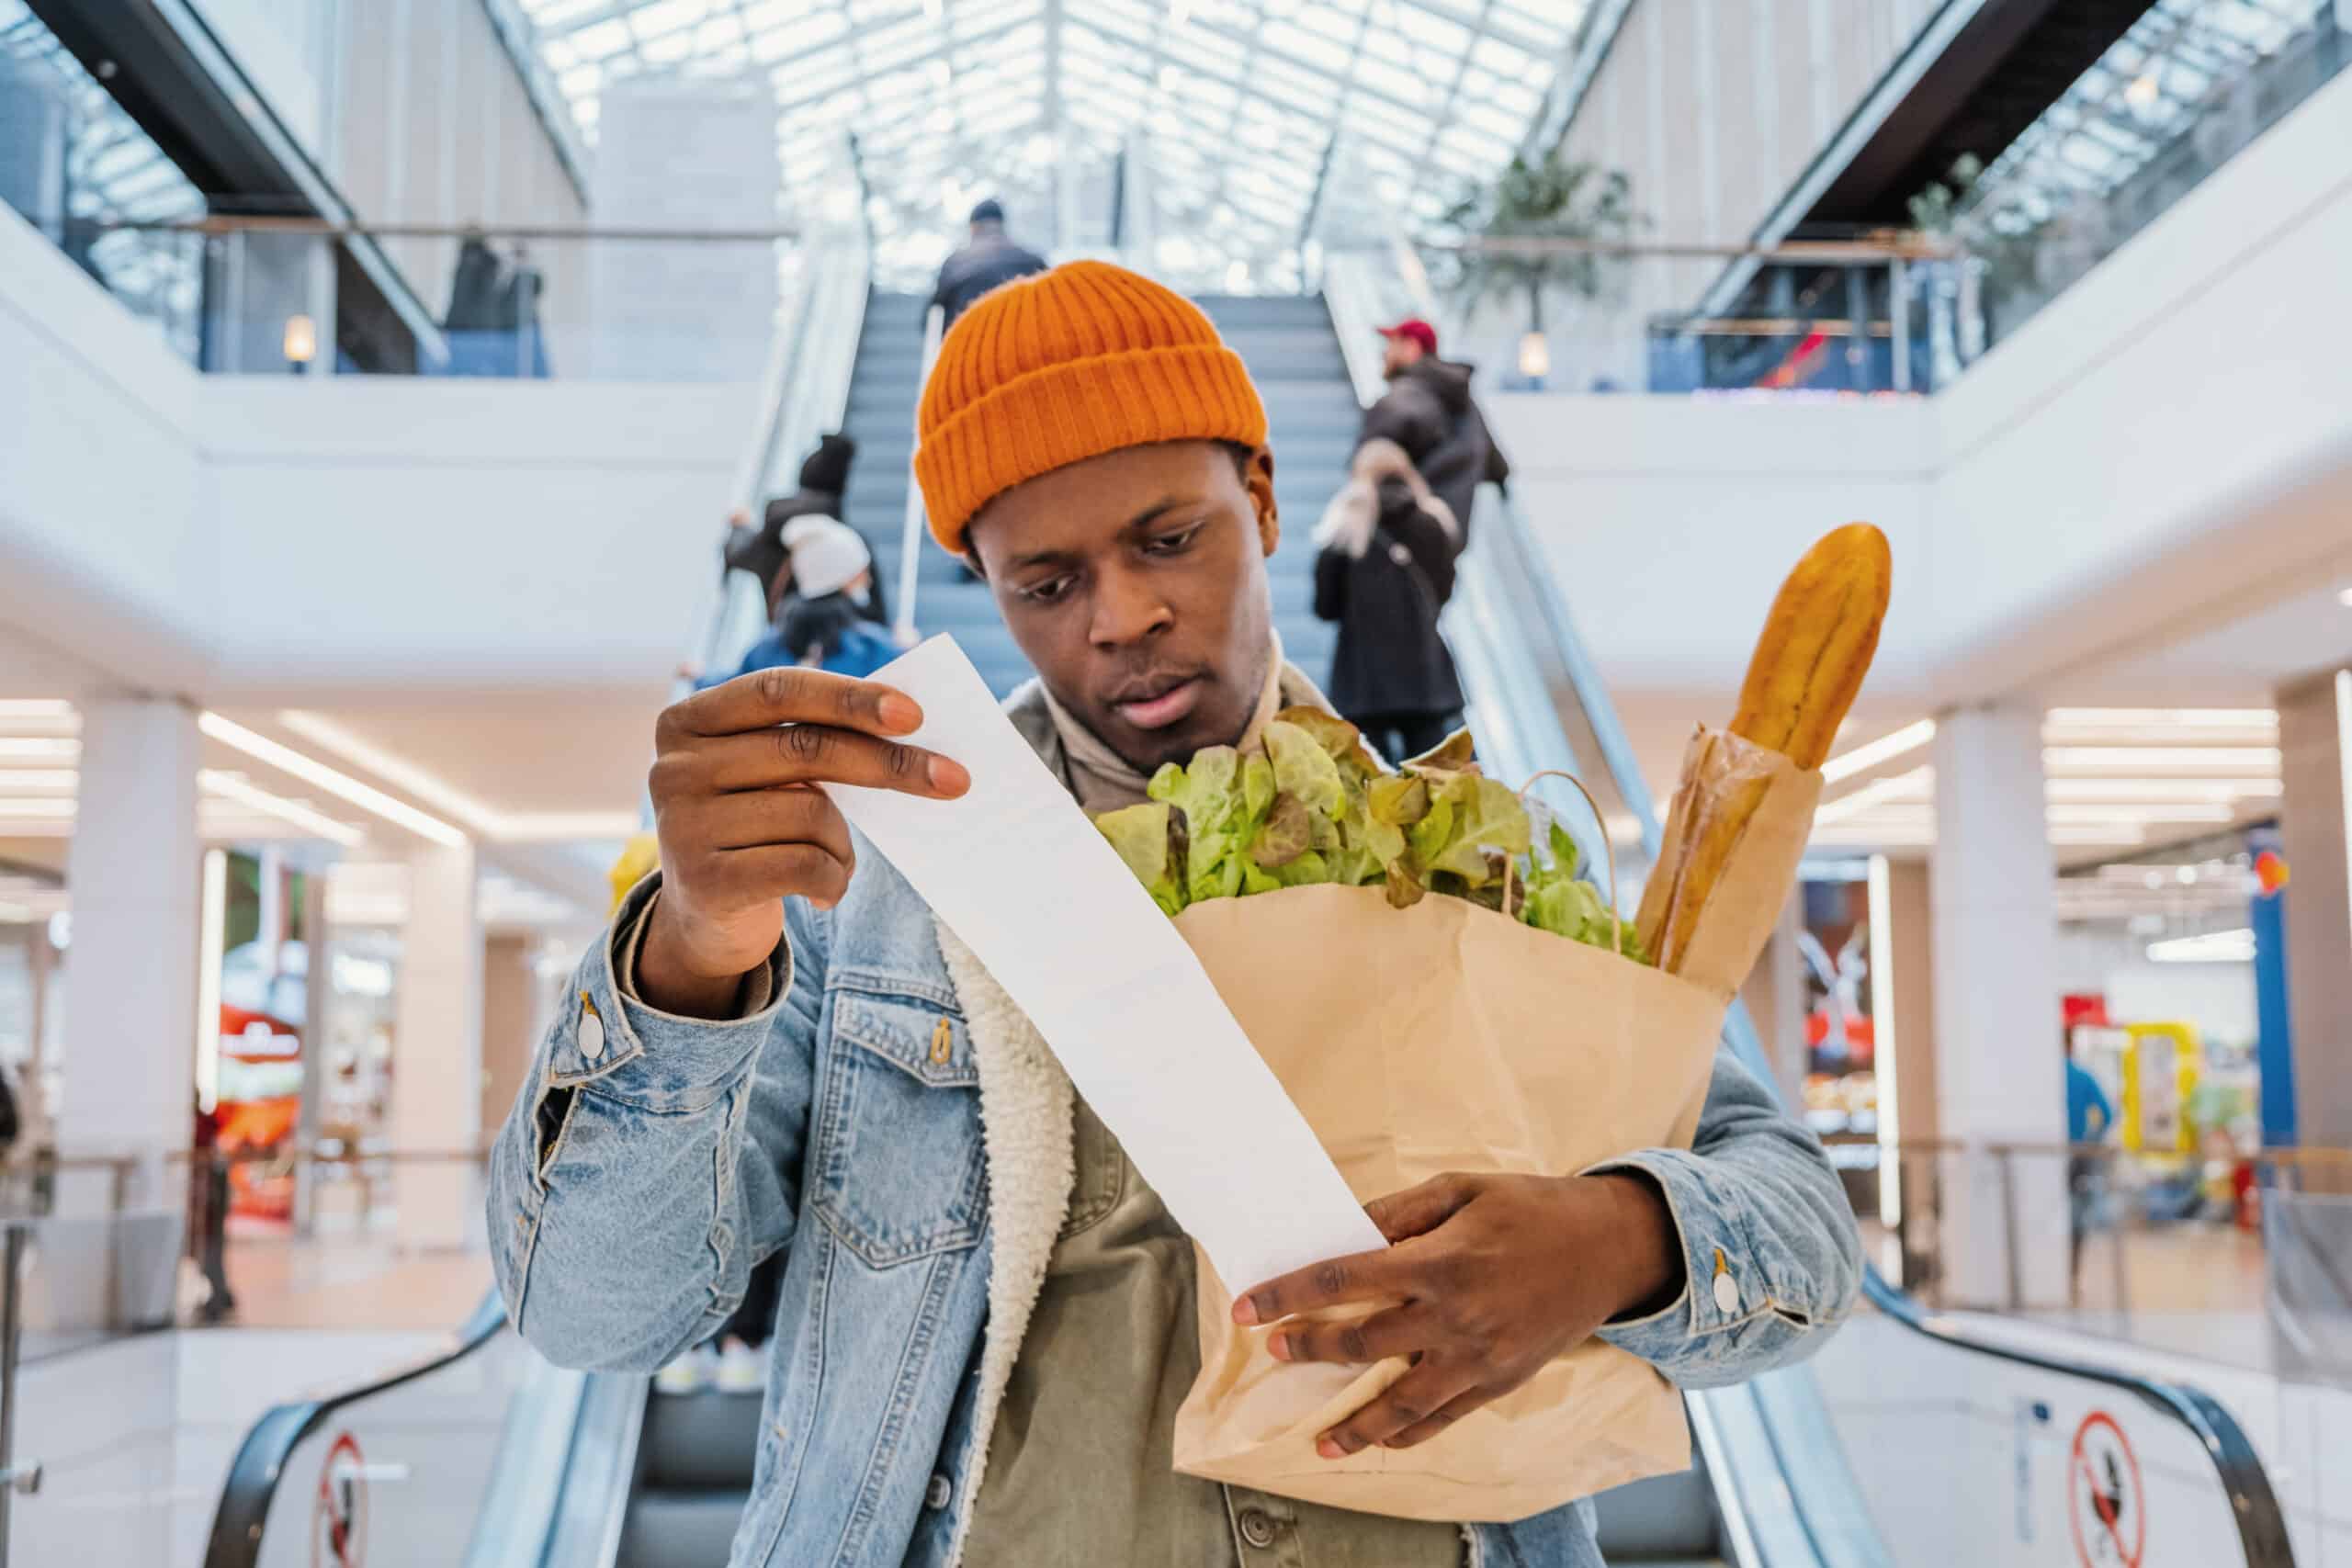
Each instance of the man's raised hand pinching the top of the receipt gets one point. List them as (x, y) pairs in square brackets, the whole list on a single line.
[(747, 826)]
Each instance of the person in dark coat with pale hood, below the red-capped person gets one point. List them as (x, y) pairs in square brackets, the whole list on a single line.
[(1384, 570)]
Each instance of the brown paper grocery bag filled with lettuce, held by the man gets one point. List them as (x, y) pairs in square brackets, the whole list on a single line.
[(1450, 1038)]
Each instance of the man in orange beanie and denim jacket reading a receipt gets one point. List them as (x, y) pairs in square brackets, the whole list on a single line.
[(989, 1318)]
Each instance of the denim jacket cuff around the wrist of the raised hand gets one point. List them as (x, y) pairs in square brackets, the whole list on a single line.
[(636, 1052)]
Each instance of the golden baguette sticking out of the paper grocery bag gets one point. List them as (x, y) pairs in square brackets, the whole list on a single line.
[(1808, 671)]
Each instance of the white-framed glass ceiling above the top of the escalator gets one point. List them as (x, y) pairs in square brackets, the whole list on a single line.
[(1234, 114)]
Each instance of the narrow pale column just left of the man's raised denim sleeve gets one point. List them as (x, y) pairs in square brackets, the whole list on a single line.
[(439, 1050)]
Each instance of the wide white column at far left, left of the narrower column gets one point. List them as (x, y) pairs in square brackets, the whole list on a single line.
[(131, 972)]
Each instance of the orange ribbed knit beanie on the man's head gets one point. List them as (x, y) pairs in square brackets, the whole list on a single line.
[(1062, 368)]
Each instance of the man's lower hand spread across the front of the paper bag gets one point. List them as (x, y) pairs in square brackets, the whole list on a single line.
[(1488, 1280)]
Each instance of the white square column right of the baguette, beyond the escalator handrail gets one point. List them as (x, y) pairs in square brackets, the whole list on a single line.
[(2000, 1071)]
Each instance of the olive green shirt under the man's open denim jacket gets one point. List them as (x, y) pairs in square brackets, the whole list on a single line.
[(1081, 1463)]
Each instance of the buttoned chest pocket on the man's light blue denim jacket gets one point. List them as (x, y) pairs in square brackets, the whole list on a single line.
[(900, 1101)]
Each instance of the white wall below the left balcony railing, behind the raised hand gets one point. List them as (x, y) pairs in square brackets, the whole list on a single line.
[(408, 535)]
